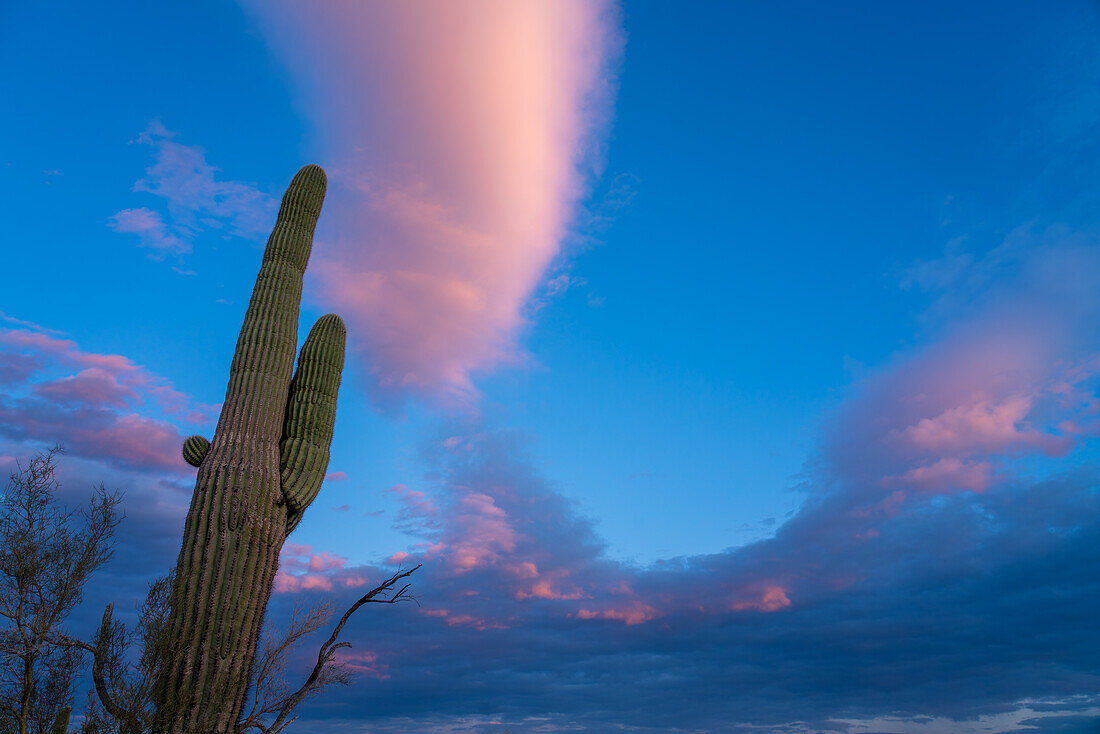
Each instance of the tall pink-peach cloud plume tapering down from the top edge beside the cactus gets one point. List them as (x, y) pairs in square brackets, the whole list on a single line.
[(459, 137)]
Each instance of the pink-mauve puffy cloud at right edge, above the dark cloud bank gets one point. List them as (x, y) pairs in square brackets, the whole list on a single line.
[(955, 415)]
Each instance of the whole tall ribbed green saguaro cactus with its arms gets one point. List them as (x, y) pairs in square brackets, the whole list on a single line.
[(257, 478)]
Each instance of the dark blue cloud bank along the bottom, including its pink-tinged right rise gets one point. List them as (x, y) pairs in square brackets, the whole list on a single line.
[(939, 503)]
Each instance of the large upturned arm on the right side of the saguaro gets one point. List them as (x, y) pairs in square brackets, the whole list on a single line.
[(311, 414)]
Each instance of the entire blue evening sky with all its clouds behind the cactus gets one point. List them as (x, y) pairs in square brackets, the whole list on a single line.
[(728, 367)]
